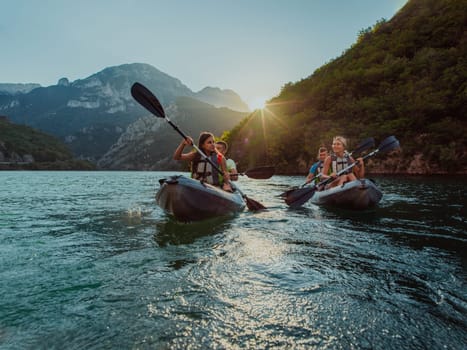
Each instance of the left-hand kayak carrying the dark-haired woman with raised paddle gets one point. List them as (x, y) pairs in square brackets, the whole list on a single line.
[(191, 200)]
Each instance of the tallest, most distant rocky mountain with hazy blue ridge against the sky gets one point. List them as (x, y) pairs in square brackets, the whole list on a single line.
[(91, 114)]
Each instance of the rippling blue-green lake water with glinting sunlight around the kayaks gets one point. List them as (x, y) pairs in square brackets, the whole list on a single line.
[(87, 261)]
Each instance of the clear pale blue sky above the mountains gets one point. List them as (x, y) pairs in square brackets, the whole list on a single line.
[(253, 47)]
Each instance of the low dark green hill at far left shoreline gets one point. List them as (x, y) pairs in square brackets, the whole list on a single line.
[(22, 147)]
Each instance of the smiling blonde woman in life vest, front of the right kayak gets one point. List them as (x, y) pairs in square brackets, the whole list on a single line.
[(339, 160)]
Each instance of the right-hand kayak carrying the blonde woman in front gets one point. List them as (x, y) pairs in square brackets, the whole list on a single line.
[(359, 194)]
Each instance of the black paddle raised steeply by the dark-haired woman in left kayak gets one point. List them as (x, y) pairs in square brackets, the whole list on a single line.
[(149, 101)]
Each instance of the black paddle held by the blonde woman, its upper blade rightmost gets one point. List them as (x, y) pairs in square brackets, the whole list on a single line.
[(298, 197)]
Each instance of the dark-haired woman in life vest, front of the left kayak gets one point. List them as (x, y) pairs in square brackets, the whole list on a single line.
[(201, 169)]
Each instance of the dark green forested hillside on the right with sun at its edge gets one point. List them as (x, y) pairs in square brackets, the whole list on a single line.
[(405, 77)]
